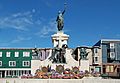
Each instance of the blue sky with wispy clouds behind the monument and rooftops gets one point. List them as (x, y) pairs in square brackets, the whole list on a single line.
[(26, 23)]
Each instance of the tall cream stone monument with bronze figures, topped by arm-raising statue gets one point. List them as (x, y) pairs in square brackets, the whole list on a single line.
[(60, 54)]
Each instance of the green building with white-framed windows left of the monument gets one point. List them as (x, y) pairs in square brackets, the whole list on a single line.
[(15, 62)]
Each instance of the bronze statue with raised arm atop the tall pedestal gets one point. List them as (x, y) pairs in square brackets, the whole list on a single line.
[(60, 19)]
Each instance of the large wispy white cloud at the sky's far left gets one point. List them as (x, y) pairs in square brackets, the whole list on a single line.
[(19, 21)]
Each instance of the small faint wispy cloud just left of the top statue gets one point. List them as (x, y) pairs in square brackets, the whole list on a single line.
[(50, 27)]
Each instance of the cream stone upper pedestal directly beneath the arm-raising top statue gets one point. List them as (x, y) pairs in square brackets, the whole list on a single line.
[(59, 39)]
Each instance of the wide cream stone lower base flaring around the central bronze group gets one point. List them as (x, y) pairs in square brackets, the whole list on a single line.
[(70, 62)]
